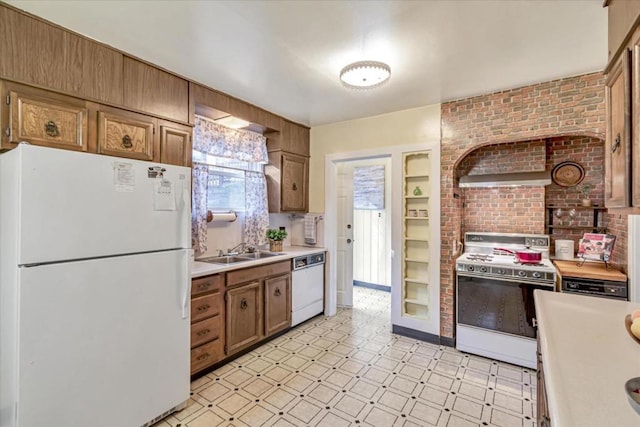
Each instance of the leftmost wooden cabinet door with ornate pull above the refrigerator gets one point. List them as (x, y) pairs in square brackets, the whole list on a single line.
[(44, 118)]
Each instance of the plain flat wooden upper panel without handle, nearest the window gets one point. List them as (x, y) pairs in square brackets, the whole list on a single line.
[(155, 91)]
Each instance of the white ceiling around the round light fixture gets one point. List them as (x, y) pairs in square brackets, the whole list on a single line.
[(285, 56)]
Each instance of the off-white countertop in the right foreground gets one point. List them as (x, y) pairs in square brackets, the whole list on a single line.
[(587, 356)]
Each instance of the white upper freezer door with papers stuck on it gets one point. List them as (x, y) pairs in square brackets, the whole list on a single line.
[(72, 205)]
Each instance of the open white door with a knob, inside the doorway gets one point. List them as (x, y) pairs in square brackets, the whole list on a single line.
[(344, 258)]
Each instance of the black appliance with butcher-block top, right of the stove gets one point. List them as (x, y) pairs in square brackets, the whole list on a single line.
[(593, 279)]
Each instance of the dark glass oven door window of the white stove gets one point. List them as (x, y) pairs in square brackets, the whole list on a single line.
[(497, 305)]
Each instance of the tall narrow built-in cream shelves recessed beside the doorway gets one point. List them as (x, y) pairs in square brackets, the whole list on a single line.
[(415, 232)]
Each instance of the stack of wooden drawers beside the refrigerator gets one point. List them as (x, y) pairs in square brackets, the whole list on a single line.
[(207, 321)]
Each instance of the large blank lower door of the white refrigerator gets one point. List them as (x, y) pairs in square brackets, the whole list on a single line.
[(103, 342)]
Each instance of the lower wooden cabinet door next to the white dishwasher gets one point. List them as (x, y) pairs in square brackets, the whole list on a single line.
[(277, 304)]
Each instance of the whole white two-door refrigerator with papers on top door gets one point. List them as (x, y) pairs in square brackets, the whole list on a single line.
[(95, 287)]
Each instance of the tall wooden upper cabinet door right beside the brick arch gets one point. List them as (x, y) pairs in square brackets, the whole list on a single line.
[(617, 146)]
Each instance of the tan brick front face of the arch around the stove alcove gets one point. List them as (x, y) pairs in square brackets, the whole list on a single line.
[(568, 107)]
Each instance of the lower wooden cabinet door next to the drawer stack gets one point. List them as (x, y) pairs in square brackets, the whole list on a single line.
[(244, 316)]
